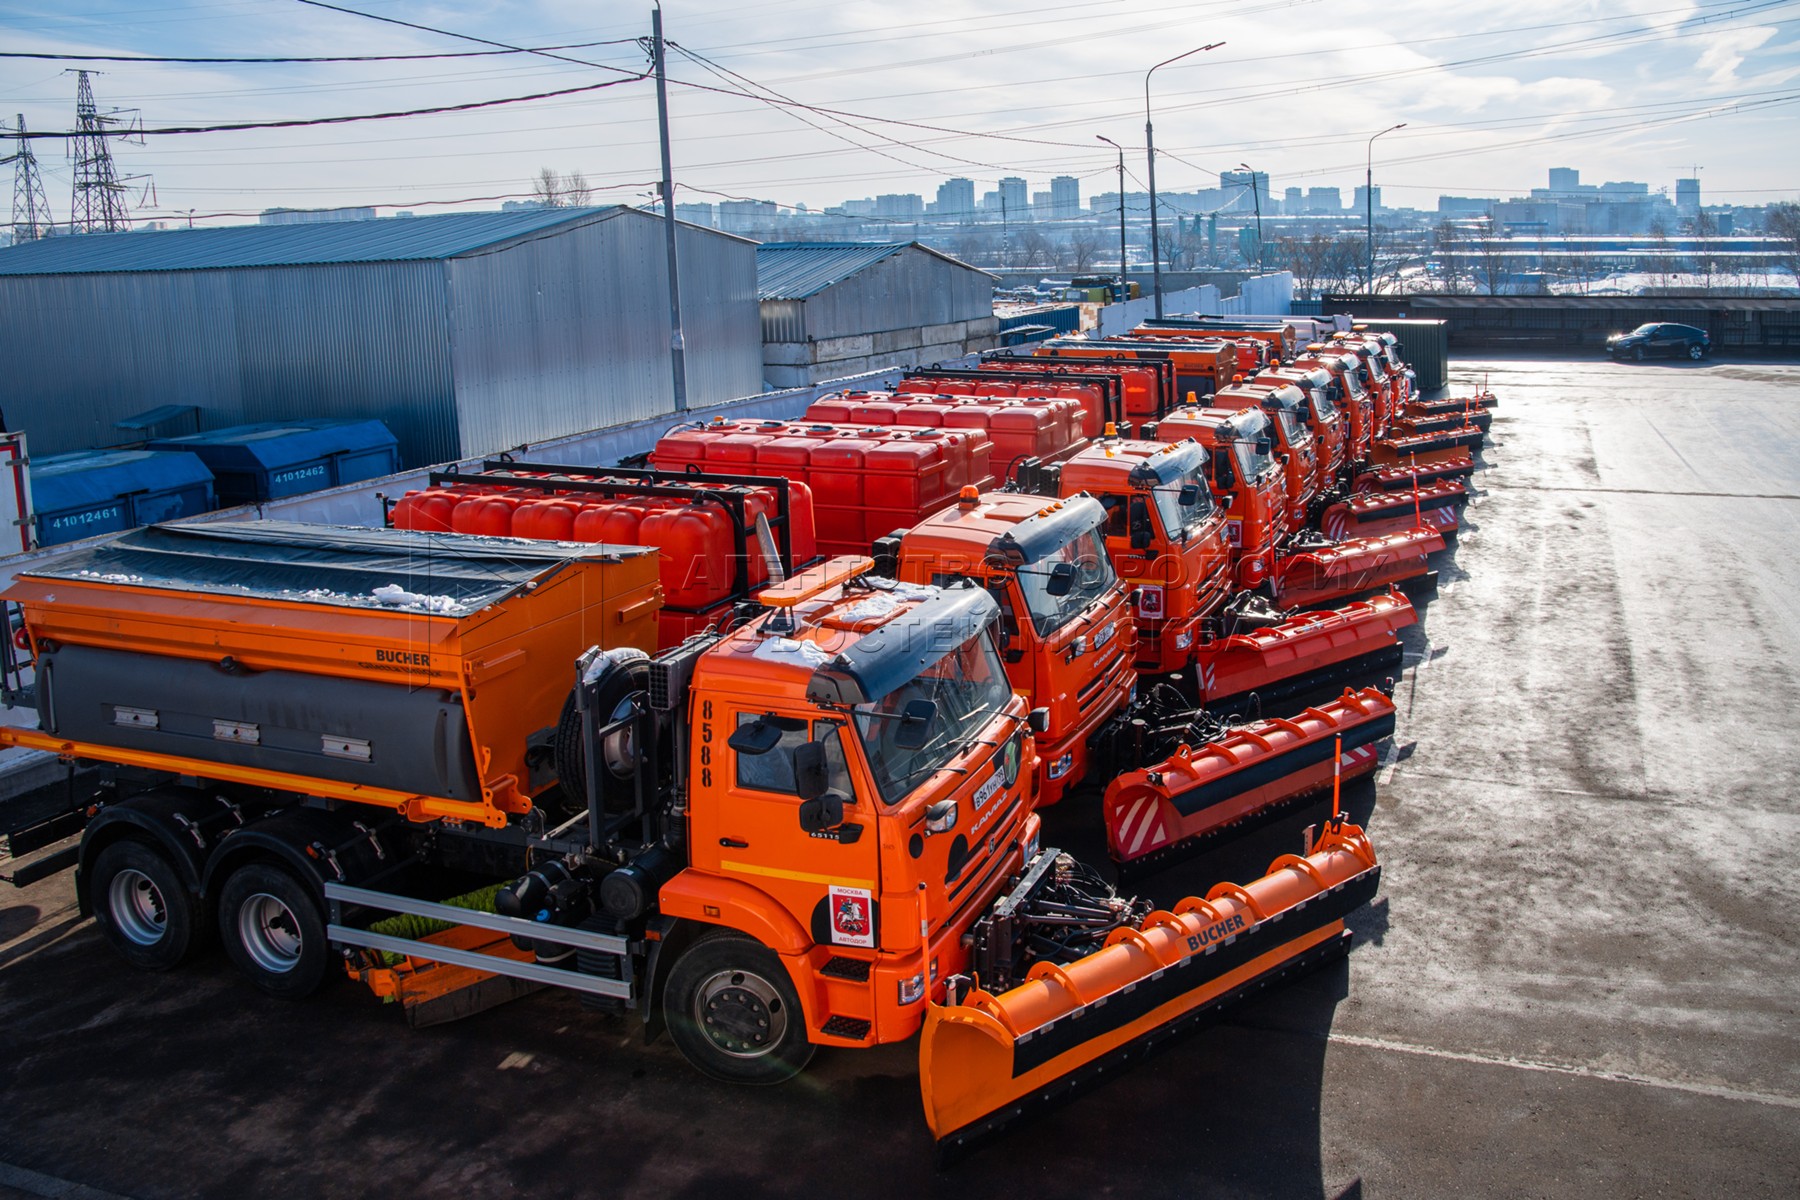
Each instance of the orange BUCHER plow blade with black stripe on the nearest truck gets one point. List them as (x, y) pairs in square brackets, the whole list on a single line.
[(994, 1059)]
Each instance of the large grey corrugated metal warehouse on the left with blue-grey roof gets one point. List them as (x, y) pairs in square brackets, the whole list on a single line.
[(467, 334)]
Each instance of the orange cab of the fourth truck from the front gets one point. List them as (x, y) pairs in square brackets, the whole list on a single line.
[(1246, 481)]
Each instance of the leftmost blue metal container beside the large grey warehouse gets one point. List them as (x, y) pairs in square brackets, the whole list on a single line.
[(94, 492)]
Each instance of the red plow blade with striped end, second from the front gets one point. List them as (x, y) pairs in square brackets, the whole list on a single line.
[(1254, 773)]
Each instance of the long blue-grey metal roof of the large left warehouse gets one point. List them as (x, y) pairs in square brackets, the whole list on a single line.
[(384, 240)]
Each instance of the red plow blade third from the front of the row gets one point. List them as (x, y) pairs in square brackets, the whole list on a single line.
[(1306, 652)]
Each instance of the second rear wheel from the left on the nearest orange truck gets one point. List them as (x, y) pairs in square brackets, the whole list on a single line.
[(273, 931)]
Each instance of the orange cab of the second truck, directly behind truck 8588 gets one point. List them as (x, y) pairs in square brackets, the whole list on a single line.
[(1068, 638)]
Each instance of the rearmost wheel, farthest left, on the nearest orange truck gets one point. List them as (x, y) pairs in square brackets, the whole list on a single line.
[(143, 906)]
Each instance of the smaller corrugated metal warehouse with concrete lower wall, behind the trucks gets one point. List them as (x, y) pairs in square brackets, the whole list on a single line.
[(838, 309)]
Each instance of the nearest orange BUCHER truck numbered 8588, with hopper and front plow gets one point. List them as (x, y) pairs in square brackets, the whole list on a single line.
[(814, 830)]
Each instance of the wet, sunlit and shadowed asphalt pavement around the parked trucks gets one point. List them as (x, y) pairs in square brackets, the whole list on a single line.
[(1581, 976)]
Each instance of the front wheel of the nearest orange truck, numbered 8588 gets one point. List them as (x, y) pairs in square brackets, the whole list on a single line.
[(733, 1012)]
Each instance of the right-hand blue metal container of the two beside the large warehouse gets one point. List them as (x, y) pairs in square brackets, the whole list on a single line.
[(274, 460)]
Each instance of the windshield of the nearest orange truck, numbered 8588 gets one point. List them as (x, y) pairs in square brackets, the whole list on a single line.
[(966, 688)]
